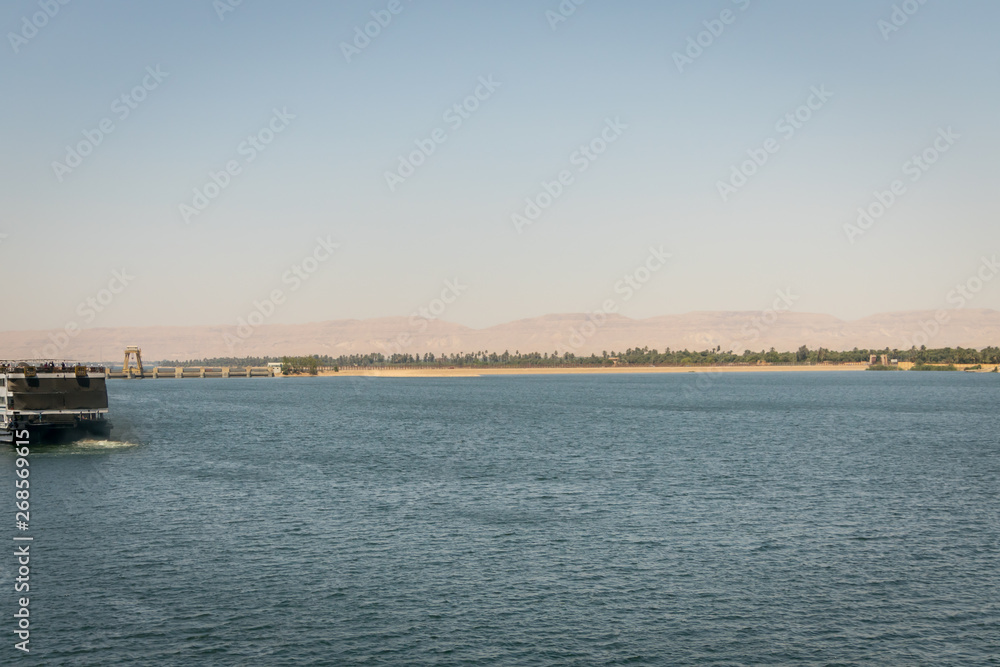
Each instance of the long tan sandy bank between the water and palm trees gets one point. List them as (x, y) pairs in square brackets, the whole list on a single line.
[(479, 372)]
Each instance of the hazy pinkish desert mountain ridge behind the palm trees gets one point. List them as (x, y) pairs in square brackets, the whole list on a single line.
[(577, 333)]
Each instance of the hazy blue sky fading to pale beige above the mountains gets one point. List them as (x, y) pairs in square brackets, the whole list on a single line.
[(193, 162)]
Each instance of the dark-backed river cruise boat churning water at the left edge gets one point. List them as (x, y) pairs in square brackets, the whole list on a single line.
[(52, 402)]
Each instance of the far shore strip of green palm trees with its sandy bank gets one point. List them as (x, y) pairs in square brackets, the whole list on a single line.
[(633, 360)]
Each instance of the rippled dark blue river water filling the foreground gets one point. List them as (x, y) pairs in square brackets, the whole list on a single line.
[(800, 519)]
